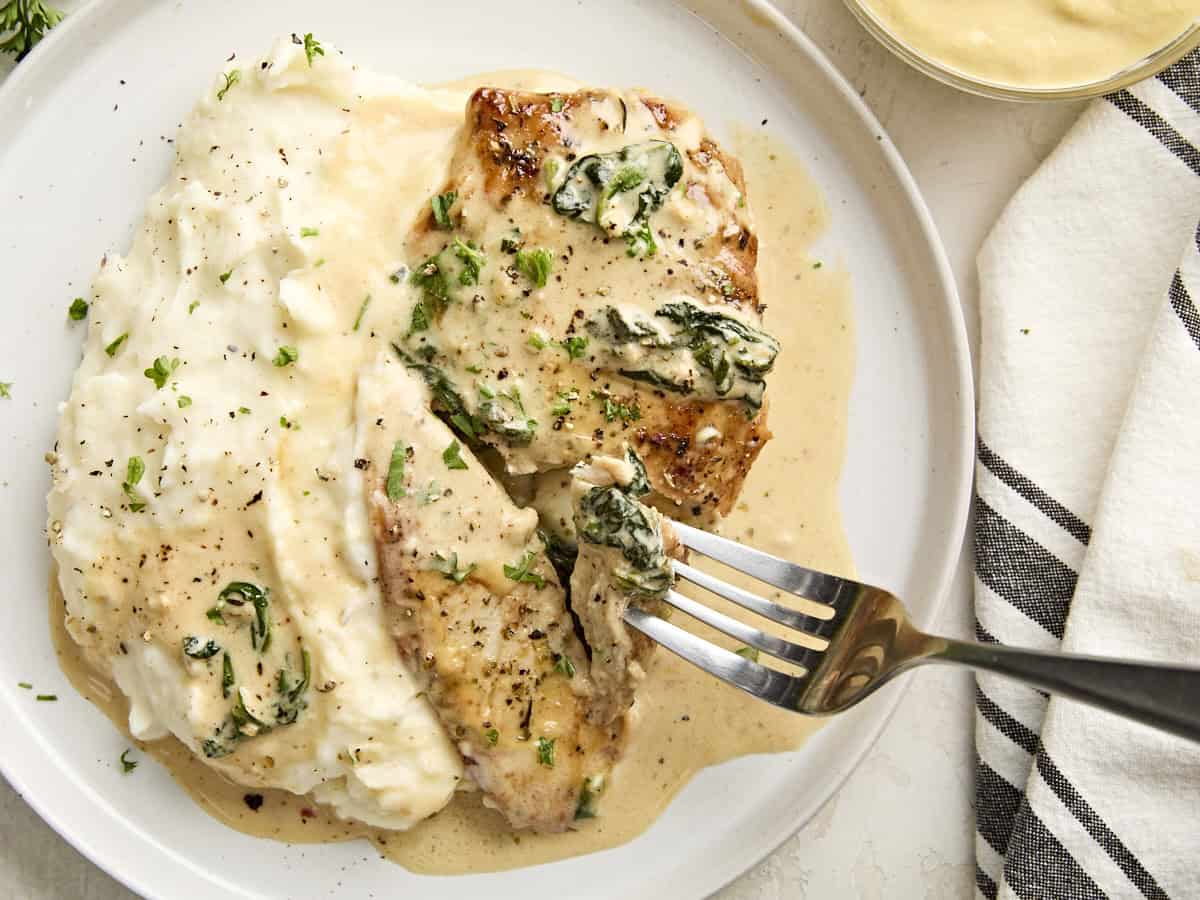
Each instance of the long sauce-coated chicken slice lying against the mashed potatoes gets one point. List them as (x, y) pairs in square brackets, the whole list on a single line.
[(479, 614)]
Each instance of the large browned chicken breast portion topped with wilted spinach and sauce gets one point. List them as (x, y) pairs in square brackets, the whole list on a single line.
[(586, 280)]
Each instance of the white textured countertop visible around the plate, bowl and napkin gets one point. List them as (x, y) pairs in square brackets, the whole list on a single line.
[(903, 826)]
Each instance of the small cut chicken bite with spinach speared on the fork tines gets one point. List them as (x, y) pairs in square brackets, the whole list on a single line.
[(625, 550)]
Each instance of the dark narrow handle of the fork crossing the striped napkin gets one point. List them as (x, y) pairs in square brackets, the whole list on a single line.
[(1163, 697)]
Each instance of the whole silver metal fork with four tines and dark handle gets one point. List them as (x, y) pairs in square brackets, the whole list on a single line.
[(866, 639)]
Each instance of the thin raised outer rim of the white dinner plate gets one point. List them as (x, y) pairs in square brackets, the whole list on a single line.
[(743, 857)]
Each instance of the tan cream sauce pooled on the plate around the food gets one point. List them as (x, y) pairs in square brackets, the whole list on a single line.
[(685, 719)]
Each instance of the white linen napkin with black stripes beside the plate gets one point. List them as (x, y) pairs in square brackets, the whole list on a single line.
[(1088, 517)]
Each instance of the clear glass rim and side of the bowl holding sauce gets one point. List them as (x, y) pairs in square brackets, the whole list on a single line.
[(1145, 68)]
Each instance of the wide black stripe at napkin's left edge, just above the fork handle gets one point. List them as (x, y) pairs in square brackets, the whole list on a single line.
[(1022, 571)]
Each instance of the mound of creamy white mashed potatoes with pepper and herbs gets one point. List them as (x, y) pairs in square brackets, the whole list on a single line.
[(207, 514)]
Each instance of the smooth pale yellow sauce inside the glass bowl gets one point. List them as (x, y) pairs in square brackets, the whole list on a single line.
[(1036, 45)]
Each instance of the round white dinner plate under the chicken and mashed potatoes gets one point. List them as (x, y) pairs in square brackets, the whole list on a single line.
[(87, 122)]
